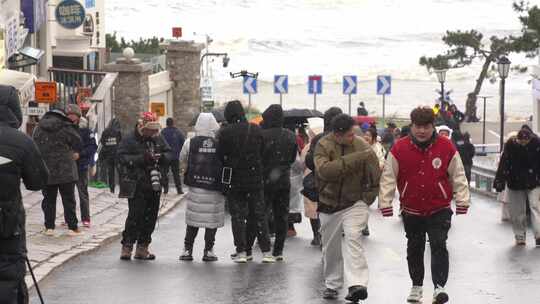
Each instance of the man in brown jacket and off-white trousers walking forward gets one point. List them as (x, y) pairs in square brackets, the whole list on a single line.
[(342, 164)]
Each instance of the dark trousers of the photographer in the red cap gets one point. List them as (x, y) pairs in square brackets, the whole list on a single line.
[(142, 217)]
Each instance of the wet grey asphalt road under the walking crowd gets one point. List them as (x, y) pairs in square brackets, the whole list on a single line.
[(485, 267)]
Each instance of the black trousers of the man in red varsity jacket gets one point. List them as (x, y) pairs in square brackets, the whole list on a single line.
[(436, 227)]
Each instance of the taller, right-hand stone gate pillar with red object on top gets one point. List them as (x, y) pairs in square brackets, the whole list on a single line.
[(183, 63)]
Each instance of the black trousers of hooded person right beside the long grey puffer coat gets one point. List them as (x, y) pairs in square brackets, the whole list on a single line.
[(248, 213)]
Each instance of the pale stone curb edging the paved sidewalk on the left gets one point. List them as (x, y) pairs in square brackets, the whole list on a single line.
[(44, 268)]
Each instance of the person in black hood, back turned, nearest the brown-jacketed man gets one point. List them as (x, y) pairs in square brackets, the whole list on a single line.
[(279, 154)]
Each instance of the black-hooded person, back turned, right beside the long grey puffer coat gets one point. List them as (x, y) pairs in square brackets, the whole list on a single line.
[(242, 146)]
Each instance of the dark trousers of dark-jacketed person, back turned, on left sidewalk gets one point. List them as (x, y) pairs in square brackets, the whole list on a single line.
[(67, 192)]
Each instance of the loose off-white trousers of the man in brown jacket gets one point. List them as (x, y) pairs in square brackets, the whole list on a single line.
[(343, 253)]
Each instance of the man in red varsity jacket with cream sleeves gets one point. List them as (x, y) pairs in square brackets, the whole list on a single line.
[(428, 173)]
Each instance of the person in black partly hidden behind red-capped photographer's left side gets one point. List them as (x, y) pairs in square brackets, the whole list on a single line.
[(110, 139)]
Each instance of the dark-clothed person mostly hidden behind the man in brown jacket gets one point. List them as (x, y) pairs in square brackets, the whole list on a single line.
[(329, 115)]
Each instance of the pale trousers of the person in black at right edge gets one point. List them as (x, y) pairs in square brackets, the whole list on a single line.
[(517, 206)]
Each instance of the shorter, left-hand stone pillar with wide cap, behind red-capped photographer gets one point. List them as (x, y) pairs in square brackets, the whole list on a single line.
[(132, 91)]
